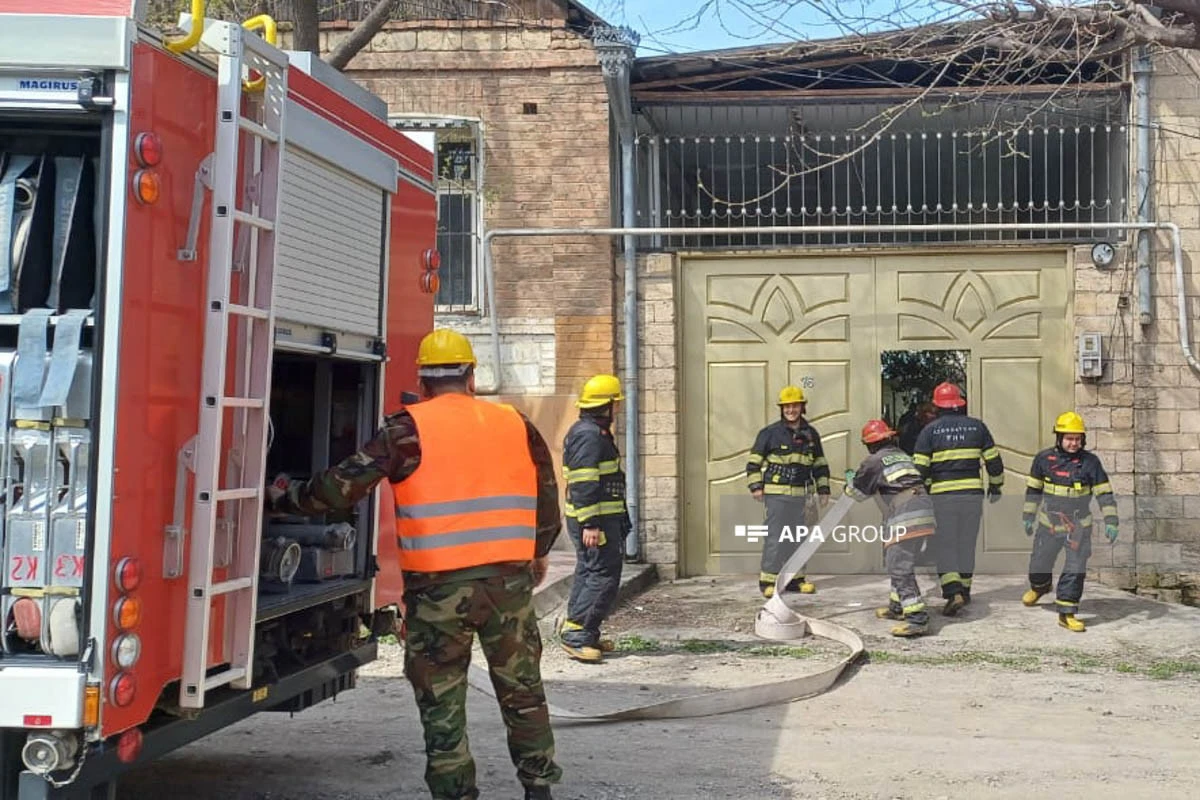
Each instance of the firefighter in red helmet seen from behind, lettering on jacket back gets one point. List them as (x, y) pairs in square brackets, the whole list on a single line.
[(949, 454)]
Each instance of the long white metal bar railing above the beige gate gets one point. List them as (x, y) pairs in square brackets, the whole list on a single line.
[(842, 166)]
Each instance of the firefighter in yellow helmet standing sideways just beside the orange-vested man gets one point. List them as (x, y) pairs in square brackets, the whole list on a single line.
[(597, 519)]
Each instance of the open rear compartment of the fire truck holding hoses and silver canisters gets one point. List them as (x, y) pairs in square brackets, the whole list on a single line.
[(52, 195)]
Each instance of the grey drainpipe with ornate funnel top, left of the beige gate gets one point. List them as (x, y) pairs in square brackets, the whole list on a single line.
[(615, 51)]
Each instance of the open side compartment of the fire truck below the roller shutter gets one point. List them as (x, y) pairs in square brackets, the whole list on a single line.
[(322, 411)]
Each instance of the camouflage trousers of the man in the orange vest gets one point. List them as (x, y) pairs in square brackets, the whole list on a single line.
[(442, 622)]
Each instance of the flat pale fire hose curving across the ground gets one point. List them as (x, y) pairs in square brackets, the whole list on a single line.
[(776, 622)]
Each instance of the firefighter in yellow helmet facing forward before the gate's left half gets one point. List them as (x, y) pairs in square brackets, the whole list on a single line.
[(785, 471)]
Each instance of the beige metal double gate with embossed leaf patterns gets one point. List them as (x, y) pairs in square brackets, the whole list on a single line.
[(753, 324)]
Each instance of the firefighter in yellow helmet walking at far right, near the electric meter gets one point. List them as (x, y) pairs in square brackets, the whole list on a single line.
[(1058, 506)]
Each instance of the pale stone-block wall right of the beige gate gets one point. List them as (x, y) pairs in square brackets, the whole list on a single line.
[(1147, 408)]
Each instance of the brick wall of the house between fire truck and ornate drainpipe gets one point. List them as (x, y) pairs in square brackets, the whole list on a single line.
[(543, 169)]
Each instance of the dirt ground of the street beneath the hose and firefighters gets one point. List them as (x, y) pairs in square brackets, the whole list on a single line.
[(1000, 703)]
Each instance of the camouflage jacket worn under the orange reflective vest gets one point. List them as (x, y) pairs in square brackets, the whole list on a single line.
[(394, 454)]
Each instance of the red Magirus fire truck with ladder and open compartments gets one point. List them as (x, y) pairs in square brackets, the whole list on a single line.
[(217, 262)]
